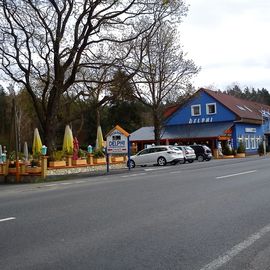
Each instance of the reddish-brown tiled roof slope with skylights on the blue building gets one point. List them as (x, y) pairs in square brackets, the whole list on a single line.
[(242, 108)]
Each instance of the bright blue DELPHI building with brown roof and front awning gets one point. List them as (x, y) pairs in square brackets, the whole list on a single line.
[(215, 119)]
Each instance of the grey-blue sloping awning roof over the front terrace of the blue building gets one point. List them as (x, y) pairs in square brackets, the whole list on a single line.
[(206, 130)]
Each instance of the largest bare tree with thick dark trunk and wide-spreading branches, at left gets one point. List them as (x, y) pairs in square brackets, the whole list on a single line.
[(44, 44)]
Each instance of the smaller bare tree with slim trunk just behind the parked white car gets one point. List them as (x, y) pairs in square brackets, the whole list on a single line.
[(164, 72)]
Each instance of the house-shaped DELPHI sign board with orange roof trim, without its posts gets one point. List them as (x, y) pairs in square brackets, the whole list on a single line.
[(117, 141)]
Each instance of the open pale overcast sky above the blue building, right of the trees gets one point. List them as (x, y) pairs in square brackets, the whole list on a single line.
[(230, 41)]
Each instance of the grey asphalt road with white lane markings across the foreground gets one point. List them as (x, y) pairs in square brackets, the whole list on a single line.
[(200, 216)]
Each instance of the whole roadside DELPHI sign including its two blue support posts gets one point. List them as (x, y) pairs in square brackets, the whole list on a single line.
[(117, 142)]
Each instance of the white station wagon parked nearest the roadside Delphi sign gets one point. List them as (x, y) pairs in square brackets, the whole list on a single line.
[(160, 155)]
